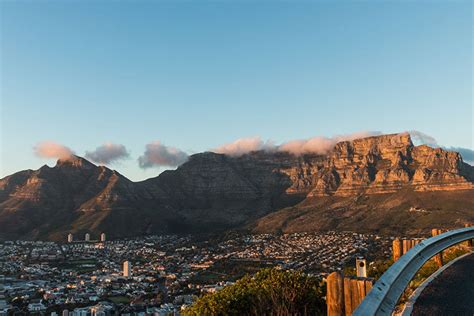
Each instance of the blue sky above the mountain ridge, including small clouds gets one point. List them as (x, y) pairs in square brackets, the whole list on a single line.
[(139, 85)]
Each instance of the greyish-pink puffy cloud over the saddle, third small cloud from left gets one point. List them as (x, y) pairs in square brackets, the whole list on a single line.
[(157, 154)]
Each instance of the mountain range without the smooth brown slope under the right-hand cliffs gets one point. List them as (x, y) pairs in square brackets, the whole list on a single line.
[(213, 191)]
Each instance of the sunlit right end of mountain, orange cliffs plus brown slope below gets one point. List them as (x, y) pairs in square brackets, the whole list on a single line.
[(381, 184)]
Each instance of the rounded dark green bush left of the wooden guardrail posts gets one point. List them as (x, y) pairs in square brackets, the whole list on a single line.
[(268, 292)]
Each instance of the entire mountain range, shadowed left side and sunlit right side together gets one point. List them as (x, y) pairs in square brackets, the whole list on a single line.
[(380, 184)]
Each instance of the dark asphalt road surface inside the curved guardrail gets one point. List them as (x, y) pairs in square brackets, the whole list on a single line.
[(451, 293)]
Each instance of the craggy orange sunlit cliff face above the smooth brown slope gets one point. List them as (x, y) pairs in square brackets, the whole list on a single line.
[(386, 164)]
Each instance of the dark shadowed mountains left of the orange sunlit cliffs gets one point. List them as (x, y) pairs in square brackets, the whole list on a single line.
[(209, 192)]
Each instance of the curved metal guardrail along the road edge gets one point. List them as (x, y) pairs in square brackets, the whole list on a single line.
[(386, 292)]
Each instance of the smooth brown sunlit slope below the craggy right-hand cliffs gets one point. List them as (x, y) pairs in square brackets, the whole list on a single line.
[(401, 213)]
